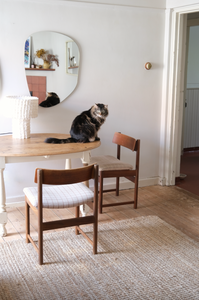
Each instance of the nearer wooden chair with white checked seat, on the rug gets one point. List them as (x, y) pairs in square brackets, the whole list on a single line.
[(66, 190)]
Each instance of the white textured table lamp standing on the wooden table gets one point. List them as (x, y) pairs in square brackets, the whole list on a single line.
[(21, 109)]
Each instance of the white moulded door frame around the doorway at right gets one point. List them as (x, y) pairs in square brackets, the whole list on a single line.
[(173, 93)]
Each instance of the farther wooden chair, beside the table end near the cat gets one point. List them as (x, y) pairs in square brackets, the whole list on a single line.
[(110, 166)]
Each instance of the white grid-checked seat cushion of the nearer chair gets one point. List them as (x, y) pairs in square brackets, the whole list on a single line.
[(60, 196)]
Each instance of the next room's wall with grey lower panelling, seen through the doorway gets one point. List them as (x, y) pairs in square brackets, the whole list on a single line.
[(190, 136)]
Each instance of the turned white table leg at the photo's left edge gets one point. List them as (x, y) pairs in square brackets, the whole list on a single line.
[(3, 213)]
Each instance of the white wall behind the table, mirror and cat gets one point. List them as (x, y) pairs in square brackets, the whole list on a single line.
[(115, 42)]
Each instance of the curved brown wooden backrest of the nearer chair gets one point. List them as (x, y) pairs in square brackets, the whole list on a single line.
[(68, 176)]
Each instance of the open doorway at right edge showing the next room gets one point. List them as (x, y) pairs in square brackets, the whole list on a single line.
[(189, 166)]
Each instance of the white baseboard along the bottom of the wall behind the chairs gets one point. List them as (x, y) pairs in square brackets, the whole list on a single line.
[(18, 201)]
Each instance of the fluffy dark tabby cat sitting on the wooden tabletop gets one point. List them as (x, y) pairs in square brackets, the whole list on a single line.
[(85, 127)]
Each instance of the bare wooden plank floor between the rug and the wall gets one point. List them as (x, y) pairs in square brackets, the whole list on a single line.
[(172, 204)]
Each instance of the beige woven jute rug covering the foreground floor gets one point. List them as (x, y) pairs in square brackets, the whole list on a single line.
[(141, 258)]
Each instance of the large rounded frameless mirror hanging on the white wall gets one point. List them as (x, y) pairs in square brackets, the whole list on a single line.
[(52, 73)]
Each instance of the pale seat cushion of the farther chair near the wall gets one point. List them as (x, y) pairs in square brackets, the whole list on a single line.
[(108, 162)]
